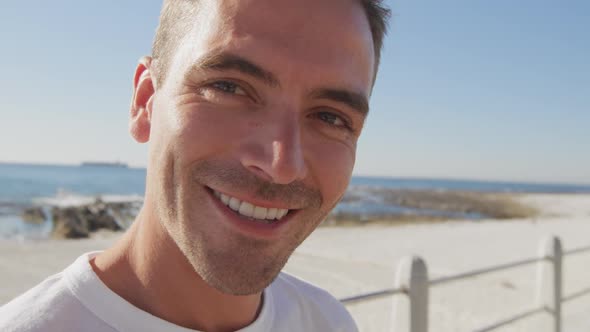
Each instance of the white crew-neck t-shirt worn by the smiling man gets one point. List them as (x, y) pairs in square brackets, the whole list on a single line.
[(77, 300)]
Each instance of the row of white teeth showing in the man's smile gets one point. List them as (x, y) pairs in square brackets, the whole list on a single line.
[(251, 211)]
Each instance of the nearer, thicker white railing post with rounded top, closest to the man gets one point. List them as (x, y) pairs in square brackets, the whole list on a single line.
[(410, 313)]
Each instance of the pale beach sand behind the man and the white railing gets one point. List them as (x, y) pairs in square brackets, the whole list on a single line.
[(353, 260)]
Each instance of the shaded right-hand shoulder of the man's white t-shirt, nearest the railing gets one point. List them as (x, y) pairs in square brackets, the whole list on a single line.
[(312, 305)]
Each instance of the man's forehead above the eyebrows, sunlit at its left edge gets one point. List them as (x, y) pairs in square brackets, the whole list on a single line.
[(299, 40)]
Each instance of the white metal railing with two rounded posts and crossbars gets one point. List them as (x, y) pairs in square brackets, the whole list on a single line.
[(412, 281)]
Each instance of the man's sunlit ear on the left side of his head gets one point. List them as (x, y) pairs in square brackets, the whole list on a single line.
[(142, 101)]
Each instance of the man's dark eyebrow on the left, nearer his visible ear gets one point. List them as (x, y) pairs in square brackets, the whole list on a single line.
[(228, 61)]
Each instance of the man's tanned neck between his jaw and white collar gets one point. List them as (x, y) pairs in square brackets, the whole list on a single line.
[(148, 270)]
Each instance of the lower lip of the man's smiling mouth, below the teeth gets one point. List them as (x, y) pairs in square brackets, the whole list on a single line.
[(247, 226)]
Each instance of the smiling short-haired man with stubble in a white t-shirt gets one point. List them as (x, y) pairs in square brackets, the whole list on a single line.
[(253, 109)]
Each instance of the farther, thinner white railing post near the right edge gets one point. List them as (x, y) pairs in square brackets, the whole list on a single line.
[(549, 279)]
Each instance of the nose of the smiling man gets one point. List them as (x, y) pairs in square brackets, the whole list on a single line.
[(275, 151)]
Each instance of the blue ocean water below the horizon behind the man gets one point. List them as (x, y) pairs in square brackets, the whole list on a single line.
[(24, 185)]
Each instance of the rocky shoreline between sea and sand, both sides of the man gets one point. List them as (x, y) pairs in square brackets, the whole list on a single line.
[(385, 207)]
